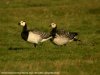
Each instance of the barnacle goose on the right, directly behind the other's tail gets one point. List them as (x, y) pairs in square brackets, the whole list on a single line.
[(61, 37)]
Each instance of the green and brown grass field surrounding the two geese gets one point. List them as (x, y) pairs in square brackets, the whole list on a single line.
[(82, 16)]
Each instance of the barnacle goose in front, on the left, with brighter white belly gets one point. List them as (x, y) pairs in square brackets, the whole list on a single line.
[(33, 36)]
